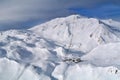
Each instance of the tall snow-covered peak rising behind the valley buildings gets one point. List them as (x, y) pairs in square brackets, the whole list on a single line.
[(86, 33)]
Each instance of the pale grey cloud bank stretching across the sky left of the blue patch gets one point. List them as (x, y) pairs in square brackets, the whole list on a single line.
[(13, 11)]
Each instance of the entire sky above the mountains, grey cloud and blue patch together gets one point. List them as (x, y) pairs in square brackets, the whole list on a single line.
[(23, 14)]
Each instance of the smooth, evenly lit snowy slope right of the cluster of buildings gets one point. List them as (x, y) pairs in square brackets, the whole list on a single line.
[(105, 55)]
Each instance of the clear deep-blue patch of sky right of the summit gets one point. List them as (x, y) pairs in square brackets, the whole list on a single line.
[(102, 11)]
